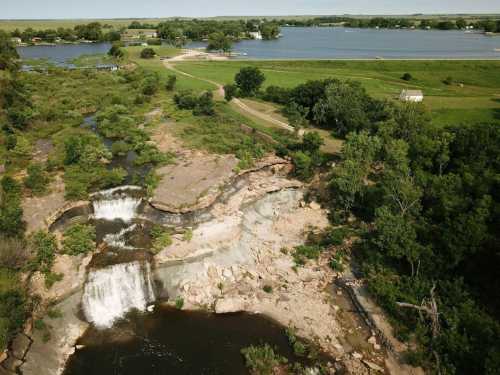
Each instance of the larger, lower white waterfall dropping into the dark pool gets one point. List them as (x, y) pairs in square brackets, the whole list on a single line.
[(113, 291)]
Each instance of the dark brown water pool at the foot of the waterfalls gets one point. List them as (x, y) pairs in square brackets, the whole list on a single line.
[(170, 341)]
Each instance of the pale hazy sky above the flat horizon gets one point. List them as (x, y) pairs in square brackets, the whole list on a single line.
[(50, 9)]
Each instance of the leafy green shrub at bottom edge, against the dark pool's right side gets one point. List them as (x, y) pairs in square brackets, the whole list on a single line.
[(262, 360)]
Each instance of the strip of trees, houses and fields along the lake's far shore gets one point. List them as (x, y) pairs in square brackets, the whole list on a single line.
[(221, 33)]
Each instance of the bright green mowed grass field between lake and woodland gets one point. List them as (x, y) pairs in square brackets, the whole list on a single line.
[(473, 97)]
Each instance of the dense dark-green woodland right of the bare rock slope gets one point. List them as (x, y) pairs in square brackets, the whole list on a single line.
[(424, 203)]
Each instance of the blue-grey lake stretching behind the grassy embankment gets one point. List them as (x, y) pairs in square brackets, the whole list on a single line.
[(326, 43)]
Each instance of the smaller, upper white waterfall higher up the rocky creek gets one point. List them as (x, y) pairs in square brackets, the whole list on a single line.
[(116, 204)]
